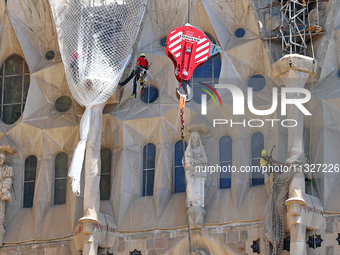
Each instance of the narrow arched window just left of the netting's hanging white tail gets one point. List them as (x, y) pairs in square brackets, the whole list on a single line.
[(60, 178)]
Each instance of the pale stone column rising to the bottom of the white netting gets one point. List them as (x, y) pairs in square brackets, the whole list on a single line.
[(92, 179)]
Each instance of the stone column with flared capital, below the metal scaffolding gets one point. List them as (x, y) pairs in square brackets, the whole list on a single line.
[(294, 71)]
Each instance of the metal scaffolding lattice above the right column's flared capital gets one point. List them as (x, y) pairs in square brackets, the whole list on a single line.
[(299, 25)]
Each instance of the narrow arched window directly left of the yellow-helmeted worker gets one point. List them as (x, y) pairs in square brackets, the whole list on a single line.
[(257, 145)]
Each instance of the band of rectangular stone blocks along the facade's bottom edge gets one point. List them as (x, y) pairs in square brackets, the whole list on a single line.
[(234, 238)]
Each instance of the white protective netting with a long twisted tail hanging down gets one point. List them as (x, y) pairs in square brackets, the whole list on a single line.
[(96, 38)]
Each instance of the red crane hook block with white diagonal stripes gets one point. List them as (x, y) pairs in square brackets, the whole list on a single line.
[(187, 47)]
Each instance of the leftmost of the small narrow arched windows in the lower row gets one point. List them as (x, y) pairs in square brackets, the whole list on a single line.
[(29, 181)]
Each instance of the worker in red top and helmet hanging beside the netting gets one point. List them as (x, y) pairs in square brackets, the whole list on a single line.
[(141, 70)]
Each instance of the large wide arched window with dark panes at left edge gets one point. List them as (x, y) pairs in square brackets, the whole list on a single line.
[(14, 84)]
